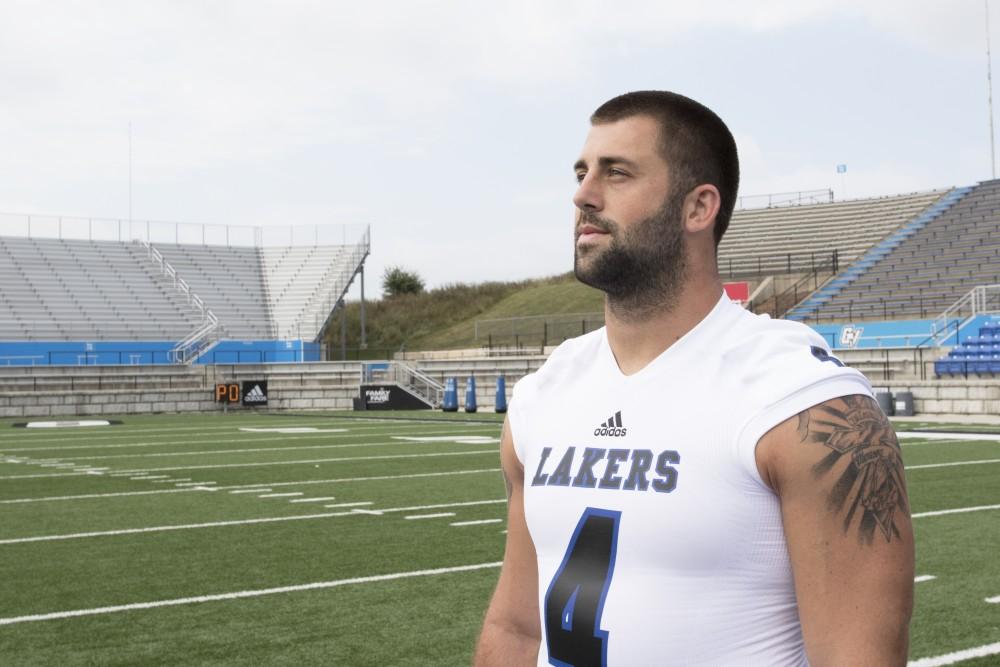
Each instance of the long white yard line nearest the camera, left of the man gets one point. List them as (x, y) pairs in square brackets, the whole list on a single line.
[(245, 594)]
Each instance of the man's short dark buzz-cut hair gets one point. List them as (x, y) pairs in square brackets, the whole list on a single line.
[(697, 145)]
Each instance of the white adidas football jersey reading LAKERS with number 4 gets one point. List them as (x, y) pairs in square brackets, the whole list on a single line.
[(657, 541)]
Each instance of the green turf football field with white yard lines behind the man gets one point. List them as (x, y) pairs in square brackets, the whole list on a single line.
[(344, 540)]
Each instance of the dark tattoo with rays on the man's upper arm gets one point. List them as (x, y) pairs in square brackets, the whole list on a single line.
[(872, 488)]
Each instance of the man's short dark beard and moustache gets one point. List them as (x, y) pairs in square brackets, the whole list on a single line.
[(643, 268)]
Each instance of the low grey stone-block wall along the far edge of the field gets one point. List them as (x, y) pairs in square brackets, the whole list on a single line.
[(120, 390)]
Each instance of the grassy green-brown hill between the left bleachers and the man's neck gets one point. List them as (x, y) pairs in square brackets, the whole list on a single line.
[(445, 318)]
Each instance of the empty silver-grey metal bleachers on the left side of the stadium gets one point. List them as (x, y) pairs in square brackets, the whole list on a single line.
[(62, 289)]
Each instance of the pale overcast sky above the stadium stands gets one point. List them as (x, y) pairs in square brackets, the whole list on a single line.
[(451, 127)]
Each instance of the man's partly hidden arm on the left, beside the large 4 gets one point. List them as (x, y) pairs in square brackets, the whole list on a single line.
[(511, 631)]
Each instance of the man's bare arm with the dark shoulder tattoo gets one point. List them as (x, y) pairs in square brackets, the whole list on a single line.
[(838, 471)]
